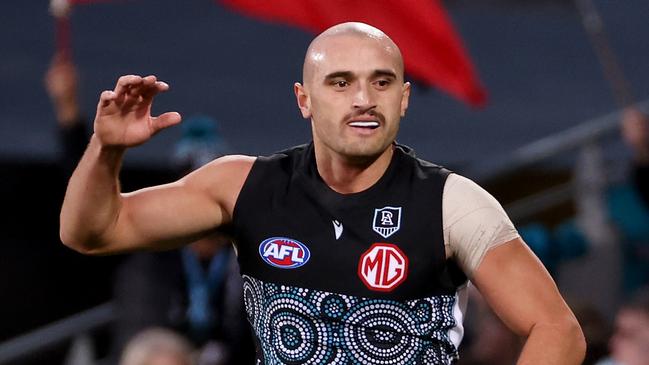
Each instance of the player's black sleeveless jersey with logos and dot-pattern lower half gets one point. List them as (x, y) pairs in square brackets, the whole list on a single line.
[(357, 278)]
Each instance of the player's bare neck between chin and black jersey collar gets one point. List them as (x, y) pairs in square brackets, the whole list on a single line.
[(347, 176)]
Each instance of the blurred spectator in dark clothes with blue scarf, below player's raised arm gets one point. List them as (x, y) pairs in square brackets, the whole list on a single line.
[(196, 290)]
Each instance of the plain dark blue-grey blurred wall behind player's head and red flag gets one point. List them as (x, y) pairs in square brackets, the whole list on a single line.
[(535, 60)]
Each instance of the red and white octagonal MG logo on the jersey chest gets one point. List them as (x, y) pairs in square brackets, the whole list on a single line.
[(383, 267)]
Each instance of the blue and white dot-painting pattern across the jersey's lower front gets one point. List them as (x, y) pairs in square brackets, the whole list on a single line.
[(303, 326)]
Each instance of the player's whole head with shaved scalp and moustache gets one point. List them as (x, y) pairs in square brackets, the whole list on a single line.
[(353, 91)]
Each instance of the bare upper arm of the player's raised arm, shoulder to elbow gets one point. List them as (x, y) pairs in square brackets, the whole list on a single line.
[(178, 213)]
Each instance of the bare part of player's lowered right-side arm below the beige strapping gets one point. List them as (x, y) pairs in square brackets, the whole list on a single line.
[(522, 293)]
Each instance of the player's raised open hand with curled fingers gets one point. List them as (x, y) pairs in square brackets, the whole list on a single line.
[(124, 114)]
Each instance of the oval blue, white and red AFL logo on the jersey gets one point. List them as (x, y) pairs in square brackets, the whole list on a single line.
[(284, 253)]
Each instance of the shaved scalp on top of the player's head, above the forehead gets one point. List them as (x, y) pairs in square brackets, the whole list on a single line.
[(320, 44)]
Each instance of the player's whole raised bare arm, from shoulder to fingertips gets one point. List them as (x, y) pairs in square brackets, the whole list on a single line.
[(96, 218)]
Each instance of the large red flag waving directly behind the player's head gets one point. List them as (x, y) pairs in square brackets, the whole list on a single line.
[(433, 53)]
